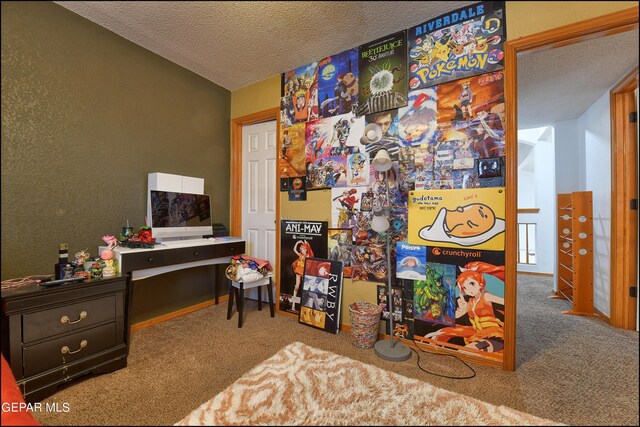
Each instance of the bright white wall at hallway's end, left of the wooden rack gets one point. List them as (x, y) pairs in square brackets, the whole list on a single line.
[(544, 198)]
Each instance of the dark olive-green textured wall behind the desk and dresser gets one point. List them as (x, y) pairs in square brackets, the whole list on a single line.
[(86, 115)]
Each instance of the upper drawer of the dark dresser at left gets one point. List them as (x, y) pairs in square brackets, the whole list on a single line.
[(58, 320)]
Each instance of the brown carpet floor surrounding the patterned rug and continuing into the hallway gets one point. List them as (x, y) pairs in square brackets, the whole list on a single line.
[(570, 369)]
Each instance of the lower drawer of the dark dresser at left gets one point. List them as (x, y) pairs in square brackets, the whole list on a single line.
[(47, 355)]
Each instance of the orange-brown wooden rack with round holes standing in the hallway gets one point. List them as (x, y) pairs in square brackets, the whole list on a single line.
[(575, 252)]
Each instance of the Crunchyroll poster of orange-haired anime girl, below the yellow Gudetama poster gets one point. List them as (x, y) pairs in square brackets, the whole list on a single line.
[(477, 280)]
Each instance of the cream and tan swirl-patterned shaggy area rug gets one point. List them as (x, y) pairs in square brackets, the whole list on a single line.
[(301, 385)]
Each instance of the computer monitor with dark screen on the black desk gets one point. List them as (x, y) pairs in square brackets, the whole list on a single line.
[(177, 215)]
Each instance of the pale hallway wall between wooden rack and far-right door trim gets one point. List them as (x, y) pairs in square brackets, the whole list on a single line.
[(594, 127)]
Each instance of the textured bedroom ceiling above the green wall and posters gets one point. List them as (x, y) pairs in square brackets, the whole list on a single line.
[(235, 44)]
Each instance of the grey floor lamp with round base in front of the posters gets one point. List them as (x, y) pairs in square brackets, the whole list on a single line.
[(388, 349)]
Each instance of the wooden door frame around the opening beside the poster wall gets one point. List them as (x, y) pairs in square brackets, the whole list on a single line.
[(605, 25)]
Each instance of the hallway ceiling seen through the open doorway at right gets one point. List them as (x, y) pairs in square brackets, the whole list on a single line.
[(562, 83)]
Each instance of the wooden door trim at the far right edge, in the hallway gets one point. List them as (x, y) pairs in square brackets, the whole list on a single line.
[(624, 187)]
